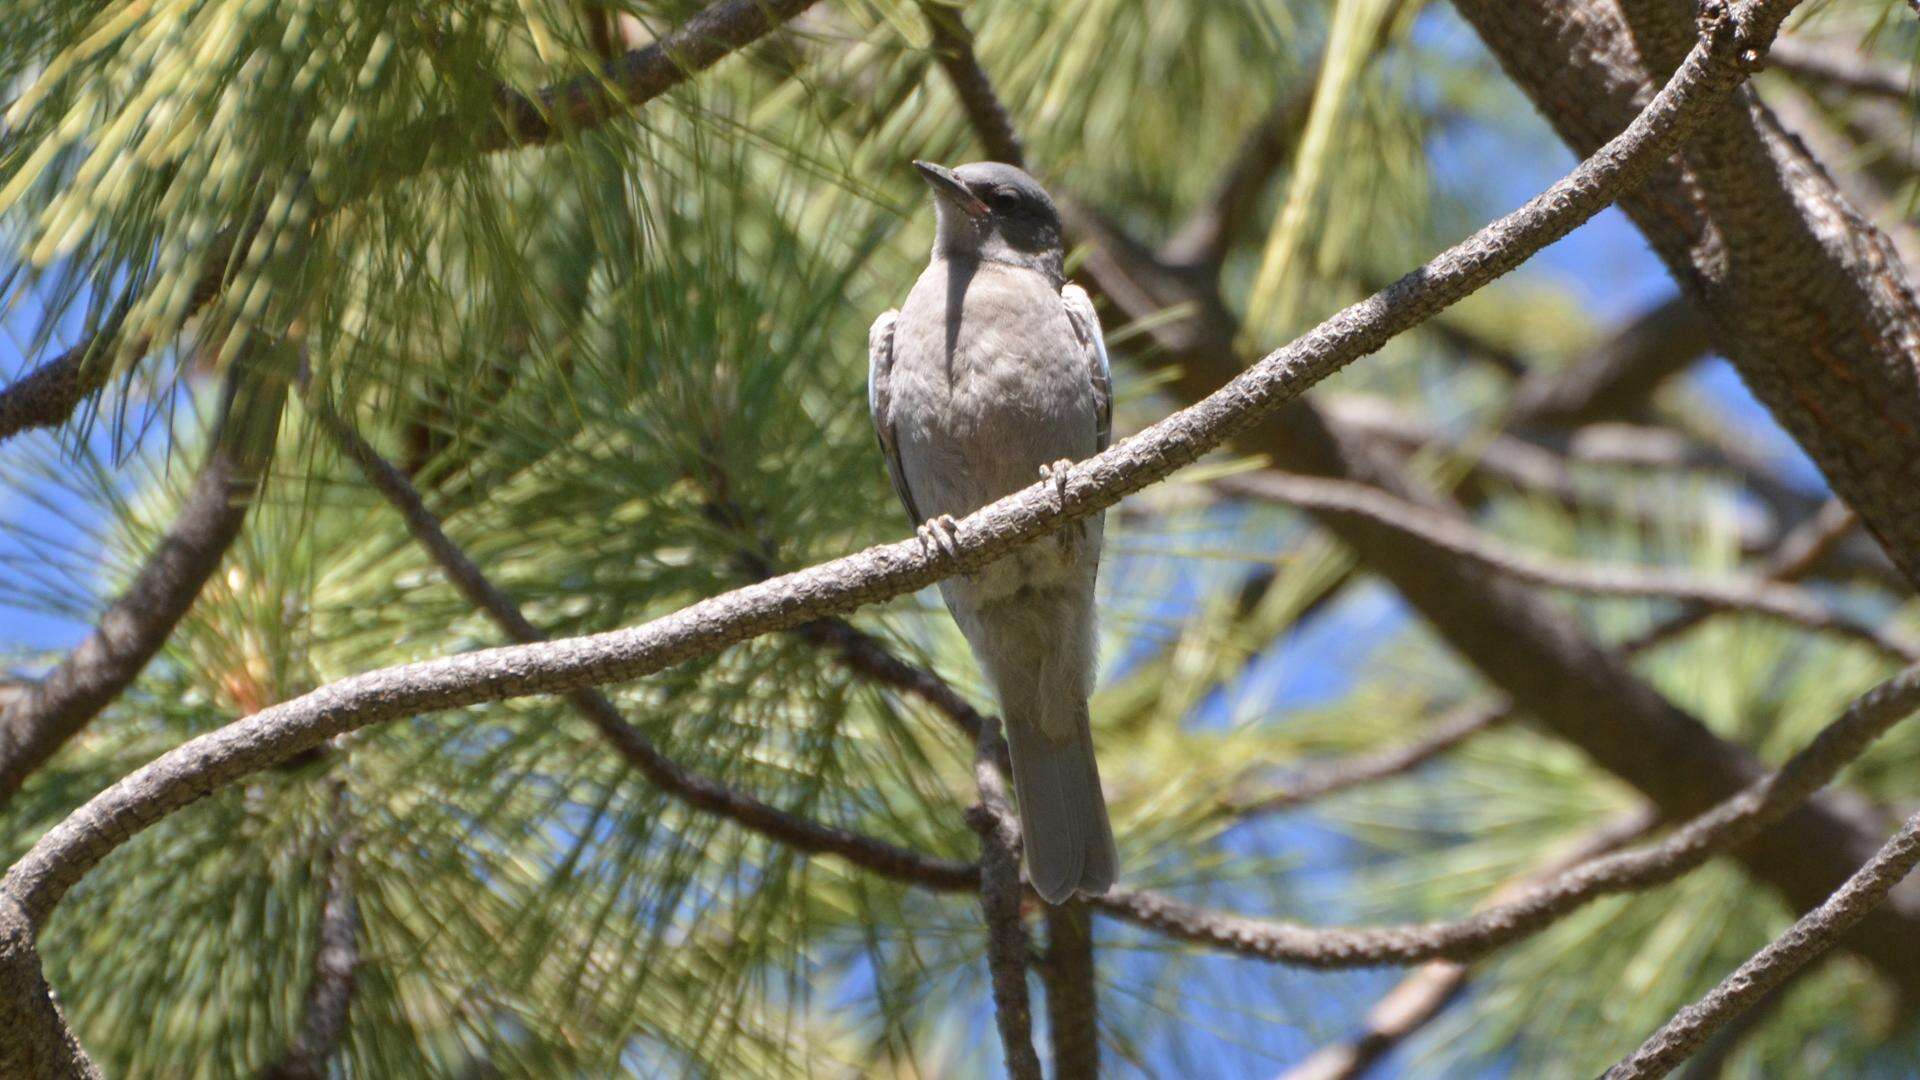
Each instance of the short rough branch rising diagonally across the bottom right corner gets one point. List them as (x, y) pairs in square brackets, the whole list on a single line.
[(1813, 935)]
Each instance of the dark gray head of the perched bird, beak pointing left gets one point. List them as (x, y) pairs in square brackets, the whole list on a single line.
[(996, 212)]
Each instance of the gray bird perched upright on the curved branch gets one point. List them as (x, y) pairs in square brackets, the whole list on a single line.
[(994, 372)]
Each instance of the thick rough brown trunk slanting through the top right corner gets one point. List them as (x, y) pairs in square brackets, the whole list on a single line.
[(1806, 297)]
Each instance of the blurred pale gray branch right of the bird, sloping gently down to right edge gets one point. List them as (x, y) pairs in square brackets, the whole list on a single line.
[(1451, 535)]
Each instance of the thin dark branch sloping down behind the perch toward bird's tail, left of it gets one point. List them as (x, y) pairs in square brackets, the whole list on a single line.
[(598, 710)]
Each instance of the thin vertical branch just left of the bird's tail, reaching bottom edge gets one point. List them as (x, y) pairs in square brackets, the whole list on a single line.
[(999, 902)]
